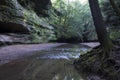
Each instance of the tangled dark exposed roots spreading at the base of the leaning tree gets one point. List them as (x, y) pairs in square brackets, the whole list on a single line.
[(98, 62)]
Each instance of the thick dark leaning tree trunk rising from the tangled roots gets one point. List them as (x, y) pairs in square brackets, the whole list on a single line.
[(103, 37)]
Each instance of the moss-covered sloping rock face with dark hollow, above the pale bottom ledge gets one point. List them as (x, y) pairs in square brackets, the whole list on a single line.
[(15, 18)]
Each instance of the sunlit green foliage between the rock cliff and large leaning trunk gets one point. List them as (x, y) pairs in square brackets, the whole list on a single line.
[(74, 20)]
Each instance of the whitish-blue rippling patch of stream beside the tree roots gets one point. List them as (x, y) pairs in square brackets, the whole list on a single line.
[(63, 53)]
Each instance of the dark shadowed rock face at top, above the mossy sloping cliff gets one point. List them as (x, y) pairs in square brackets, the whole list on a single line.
[(41, 7)]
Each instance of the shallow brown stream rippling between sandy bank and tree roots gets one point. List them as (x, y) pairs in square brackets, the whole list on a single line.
[(50, 64)]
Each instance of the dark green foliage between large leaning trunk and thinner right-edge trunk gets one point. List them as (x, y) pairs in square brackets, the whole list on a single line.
[(111, 18)]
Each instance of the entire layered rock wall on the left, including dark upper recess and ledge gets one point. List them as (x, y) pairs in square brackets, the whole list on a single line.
[(23, 21)]
